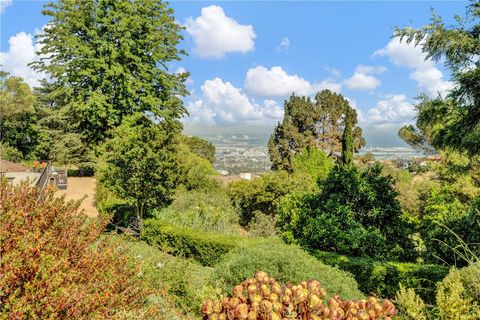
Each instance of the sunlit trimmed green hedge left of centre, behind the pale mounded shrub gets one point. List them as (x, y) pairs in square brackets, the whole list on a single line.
[(207, 248)]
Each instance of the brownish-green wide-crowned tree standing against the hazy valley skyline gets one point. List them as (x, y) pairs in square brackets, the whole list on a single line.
[(319, 123)]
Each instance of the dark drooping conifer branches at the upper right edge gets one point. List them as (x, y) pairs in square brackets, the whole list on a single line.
[(459, 47)]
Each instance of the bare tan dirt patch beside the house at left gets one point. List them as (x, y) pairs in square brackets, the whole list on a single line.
[(78, 188)]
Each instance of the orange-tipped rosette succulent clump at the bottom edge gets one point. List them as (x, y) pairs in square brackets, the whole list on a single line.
[(262, 298)]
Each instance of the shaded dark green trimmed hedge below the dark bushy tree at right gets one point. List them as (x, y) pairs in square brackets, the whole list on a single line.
[(383, 278)]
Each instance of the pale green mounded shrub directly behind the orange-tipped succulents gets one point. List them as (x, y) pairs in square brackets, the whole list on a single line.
[(285, 263)]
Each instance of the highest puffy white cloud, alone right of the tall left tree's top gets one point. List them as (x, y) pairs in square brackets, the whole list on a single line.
[(216, 34)]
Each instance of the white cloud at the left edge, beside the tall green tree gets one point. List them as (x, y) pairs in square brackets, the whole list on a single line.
[(21, 52)]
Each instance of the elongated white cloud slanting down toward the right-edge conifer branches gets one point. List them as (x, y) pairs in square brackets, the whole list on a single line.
[(428, 77)]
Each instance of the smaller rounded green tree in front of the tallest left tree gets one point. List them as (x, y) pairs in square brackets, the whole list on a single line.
[(140, 165)]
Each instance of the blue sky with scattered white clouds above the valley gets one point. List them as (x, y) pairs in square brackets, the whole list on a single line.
[(245, 58)]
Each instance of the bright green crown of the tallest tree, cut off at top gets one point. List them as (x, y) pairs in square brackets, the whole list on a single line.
[(108, 59)]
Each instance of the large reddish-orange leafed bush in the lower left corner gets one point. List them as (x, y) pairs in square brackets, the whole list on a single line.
[(54, 265)]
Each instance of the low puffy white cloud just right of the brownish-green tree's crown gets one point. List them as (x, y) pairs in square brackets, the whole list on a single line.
[(395, 109)]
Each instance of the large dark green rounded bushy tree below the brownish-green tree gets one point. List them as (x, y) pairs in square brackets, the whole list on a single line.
[(356, 213)]
